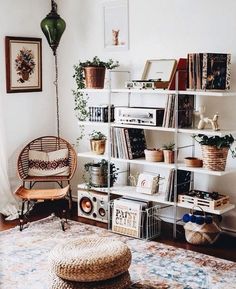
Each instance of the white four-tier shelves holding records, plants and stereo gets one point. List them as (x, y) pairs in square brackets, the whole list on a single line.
[(131, 192)]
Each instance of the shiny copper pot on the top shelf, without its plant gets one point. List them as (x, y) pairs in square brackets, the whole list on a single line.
[(94, 77)]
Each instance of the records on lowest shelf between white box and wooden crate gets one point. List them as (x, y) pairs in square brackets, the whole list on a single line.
[(183, 184)]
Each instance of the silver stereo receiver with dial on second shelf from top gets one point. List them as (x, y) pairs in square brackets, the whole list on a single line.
[(136, 115)]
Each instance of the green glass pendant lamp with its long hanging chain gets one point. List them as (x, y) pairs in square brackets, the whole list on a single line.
[(53, 27)]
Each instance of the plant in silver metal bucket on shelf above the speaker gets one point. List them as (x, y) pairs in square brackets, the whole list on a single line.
[(98, 174)]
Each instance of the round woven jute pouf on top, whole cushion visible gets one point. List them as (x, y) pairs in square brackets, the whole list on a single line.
[(90, 259)]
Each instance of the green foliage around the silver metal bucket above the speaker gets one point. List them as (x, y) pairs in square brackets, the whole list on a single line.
[(104, 165)]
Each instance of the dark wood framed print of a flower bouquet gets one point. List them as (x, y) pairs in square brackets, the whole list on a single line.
[(23, 64)]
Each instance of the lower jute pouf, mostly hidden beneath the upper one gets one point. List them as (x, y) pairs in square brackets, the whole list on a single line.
[(120, 282)]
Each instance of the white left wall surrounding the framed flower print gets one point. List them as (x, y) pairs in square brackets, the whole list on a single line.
[(26, 115)]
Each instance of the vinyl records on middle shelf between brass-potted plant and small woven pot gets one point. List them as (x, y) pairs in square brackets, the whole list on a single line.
[(127, 143)]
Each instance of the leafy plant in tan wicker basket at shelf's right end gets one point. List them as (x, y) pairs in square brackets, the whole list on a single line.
[(215, 150)]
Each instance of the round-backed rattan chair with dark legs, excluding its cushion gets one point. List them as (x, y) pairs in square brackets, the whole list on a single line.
[(26, 193)]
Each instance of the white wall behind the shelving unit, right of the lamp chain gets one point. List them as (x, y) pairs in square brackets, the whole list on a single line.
[(158, 29)]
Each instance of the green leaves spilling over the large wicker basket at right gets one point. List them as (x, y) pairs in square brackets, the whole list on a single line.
[(217, 141)]
